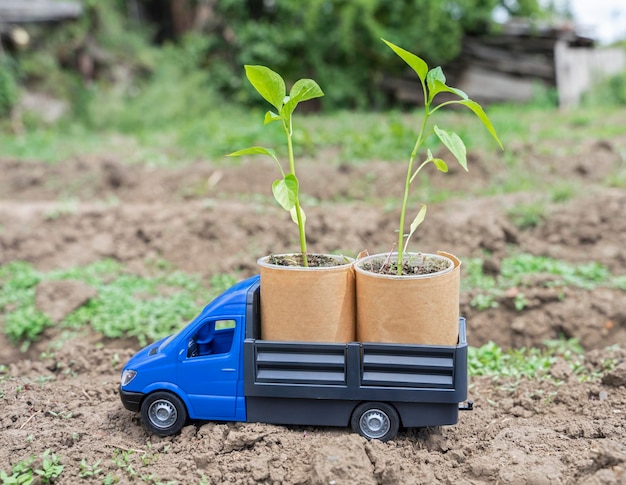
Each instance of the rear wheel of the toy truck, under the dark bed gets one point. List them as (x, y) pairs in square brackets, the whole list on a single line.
[(375, 420)]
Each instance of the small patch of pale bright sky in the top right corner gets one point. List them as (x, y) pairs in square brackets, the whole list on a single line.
[(603, 20)]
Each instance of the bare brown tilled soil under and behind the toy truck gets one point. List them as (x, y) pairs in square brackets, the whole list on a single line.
[(215, 219)]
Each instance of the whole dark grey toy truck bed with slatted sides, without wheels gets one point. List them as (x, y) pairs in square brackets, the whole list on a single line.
[(281, 377)]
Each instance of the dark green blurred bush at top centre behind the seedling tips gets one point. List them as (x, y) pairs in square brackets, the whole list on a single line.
[(337, 43)]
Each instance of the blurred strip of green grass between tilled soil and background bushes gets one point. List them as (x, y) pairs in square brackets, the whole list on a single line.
[(219, 128)]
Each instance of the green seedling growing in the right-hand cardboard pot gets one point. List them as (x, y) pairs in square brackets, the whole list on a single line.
[(433, 83)]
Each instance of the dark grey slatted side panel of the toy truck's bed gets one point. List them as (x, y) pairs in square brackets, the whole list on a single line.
[(357, 371)]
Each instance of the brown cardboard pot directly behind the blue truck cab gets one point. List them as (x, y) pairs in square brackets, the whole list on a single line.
[(314, 304)]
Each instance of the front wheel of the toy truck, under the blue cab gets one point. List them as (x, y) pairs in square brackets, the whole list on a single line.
[(163, 413)]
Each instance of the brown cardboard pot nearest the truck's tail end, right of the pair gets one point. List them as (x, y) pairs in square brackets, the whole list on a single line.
[(417, 309)]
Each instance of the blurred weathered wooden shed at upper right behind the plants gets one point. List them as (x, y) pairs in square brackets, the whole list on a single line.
[(510, 66)]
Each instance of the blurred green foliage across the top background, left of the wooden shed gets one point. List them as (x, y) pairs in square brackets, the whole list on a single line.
[(335, 42)]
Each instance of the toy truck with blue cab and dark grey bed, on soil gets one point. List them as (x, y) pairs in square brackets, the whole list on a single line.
[(217, 368)]
